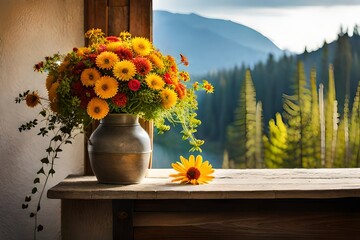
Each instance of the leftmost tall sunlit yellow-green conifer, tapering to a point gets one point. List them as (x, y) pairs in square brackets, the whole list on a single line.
[(241, 134)]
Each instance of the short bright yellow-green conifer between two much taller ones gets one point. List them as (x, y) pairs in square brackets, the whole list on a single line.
[(275, 145)]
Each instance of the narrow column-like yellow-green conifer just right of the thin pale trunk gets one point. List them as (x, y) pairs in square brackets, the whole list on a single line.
[(330, 120)]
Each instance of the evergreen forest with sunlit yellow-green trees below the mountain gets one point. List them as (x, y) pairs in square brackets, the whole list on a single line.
[(296, 111)]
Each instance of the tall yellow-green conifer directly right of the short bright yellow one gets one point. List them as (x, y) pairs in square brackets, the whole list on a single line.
[(297, 112)]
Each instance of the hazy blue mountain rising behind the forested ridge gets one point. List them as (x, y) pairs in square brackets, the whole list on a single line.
[(210, 44)]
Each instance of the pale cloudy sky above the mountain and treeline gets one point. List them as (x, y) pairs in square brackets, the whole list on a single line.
[(291, 24)]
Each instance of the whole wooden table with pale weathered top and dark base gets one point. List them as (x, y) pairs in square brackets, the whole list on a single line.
[(238, 204)]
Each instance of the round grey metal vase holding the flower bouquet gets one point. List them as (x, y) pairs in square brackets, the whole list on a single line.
[(119, 150)]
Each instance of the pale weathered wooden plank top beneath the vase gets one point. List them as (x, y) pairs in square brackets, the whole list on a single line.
[(228, 184)]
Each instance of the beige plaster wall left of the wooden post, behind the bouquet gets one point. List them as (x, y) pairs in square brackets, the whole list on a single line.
[(29, 31)]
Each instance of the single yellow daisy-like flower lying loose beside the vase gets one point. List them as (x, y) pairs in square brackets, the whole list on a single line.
[(193, 171)]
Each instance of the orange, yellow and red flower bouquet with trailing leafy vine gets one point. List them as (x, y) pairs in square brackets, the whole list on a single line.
[(115, 74)]
